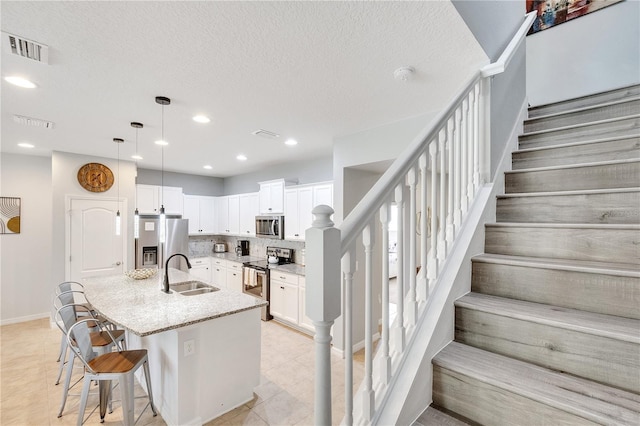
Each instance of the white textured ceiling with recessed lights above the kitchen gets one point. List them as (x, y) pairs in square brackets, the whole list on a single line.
[(307, 70)]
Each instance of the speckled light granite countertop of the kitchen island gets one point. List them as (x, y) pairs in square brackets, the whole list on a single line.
[(142, 308)]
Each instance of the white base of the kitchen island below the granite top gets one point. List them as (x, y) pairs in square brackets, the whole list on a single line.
[(217, 376)]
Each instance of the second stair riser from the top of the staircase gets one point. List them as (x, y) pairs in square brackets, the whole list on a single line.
[(580, 117)]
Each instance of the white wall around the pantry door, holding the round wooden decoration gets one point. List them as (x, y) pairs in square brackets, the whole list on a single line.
[(64, 178)]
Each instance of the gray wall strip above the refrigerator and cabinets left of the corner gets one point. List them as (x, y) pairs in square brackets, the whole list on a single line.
[(190, 184)]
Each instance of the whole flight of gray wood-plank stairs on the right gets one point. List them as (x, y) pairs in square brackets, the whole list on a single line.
[(550, 333)]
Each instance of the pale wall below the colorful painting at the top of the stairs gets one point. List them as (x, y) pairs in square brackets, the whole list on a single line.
[(594, 53)]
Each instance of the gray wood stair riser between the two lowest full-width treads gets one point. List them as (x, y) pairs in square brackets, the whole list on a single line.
[(598, 358)]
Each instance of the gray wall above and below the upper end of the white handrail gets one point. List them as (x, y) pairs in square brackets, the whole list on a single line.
[(493, 23)]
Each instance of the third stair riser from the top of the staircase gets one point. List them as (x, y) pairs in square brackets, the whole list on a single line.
[(618, 128)]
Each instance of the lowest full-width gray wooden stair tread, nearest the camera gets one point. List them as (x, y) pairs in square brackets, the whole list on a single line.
[(599, 403)]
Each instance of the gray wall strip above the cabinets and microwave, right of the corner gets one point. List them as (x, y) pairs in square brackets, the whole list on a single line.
[(311, 171)]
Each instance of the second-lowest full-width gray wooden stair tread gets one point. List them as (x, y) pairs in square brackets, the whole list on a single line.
[(625, 329)]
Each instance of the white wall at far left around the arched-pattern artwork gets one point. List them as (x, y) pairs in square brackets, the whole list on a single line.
[(26, 281)]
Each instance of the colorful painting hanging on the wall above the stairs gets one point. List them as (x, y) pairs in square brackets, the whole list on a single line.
[(555, 12)]
